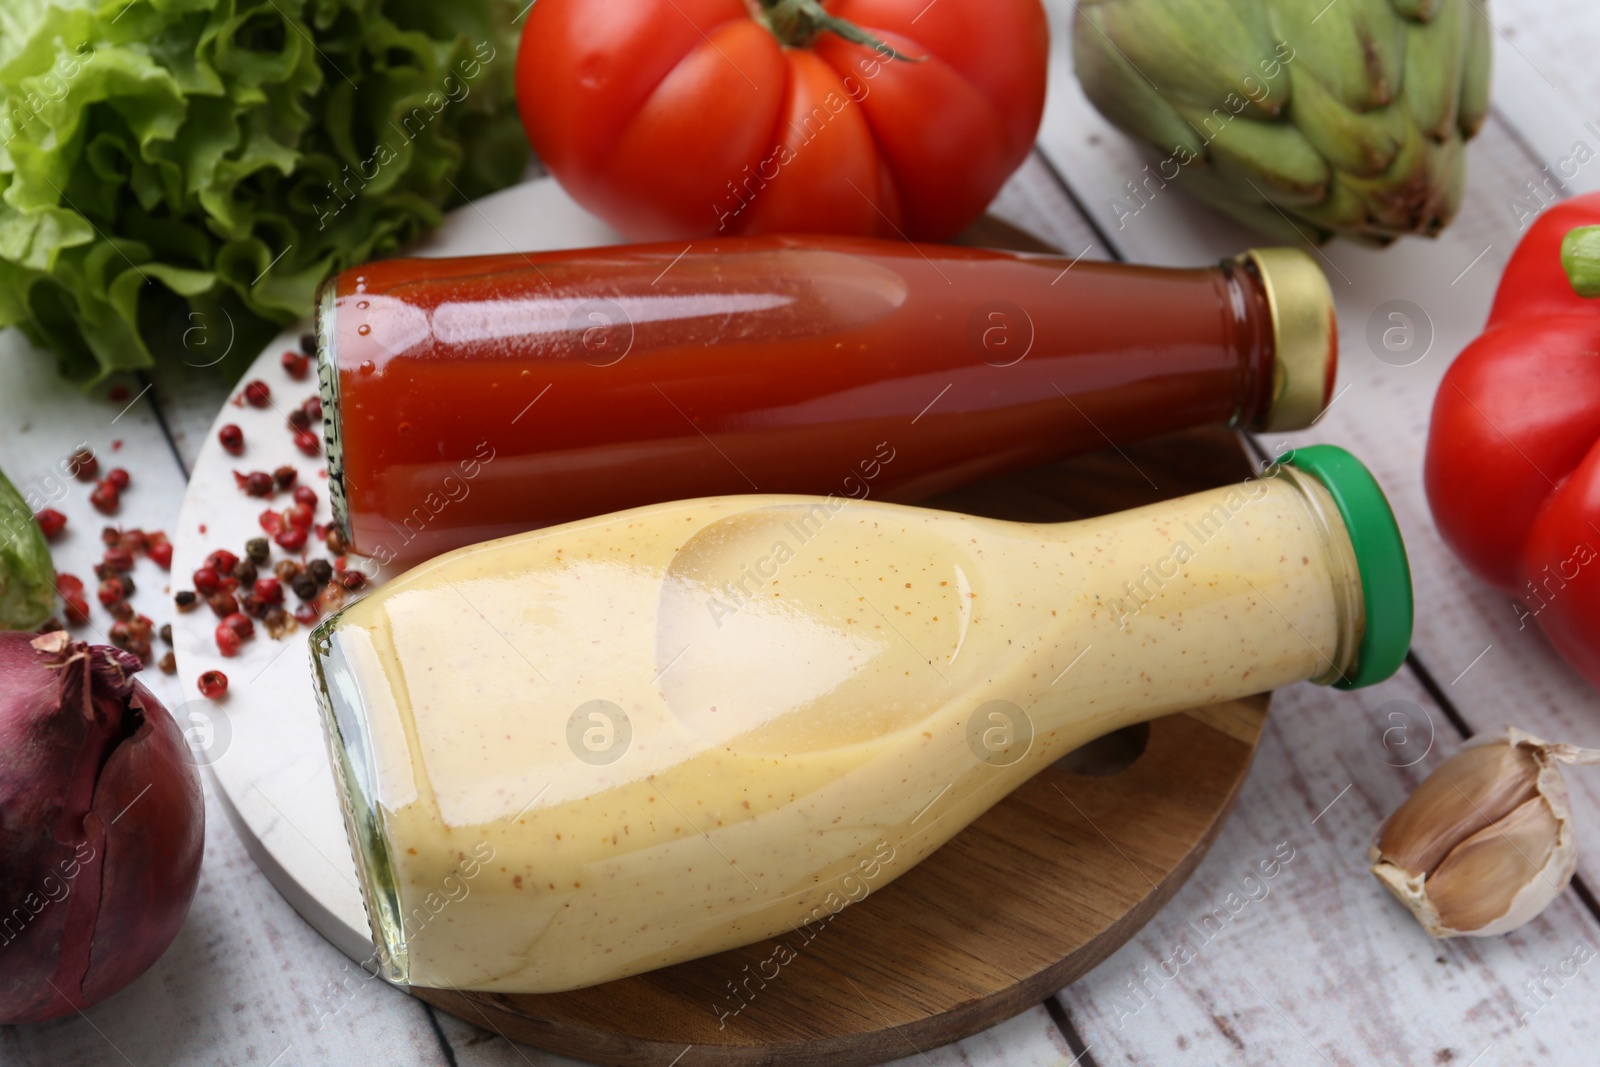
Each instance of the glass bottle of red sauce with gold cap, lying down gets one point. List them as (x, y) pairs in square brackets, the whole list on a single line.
[(478, 398)]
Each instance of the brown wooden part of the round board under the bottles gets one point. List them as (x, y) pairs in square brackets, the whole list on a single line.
[(1038, 892)]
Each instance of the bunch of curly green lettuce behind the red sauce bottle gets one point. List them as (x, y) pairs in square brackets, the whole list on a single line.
[(177, 177)]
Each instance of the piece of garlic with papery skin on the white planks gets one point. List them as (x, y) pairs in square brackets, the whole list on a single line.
[(1487, 841)]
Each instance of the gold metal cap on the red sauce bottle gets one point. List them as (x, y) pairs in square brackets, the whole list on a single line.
[(1305, 337)]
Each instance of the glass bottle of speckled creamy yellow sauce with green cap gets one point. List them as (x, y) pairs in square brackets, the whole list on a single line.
[(604, 748)]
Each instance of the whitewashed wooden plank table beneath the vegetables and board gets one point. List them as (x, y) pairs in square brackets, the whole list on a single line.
[(1326, 970)]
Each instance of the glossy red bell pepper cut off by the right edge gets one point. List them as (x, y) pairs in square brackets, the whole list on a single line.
[(1514, 449)]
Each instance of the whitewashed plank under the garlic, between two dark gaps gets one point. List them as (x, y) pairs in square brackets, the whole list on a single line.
[(1319, 964)]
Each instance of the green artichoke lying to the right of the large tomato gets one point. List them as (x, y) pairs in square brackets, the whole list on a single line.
[(1298, 118)]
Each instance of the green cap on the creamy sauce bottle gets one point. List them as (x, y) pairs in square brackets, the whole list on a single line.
[(1380, 554)]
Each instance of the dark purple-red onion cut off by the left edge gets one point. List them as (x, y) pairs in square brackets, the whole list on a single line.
[(102, 826)]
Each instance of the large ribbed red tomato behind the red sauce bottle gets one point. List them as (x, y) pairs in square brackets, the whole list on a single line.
[(676, 119)]
